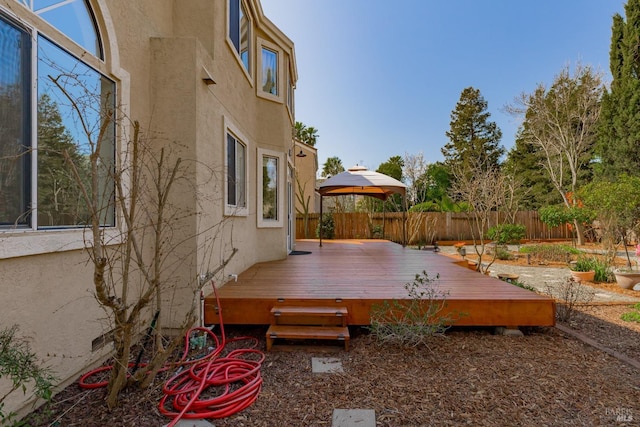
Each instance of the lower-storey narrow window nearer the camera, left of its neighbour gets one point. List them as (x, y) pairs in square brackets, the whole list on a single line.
[(236, 203)]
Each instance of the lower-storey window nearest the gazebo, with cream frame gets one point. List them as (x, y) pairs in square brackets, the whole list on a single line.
[(271, 180)]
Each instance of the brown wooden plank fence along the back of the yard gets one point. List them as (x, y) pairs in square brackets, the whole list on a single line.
[(422, 227)]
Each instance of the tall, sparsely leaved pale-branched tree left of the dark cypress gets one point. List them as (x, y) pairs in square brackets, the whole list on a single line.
[(560, 122)]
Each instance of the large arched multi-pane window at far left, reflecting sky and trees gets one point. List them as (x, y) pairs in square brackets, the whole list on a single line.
[(49, 135)]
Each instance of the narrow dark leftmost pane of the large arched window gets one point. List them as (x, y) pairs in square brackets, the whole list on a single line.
[(15, 48)]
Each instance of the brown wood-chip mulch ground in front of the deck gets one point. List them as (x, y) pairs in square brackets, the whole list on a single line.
[(467, 377)]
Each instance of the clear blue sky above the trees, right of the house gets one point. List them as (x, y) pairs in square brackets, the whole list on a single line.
[(379, 78)]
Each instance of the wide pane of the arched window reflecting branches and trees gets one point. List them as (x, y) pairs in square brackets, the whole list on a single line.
[(73, 102)]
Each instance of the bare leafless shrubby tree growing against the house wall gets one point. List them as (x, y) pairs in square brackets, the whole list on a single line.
[(139, 272)]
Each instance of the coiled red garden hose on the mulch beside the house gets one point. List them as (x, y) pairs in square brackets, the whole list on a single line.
[(215, 386)]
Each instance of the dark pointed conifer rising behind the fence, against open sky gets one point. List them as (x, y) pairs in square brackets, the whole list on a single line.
[(473, 138)]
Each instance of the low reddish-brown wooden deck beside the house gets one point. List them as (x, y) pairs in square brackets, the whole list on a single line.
[(359, 273)]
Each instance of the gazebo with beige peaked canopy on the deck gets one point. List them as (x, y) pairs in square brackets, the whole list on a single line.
[(361, 181)]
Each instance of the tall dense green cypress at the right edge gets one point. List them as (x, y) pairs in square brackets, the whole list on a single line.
[(618, 148)]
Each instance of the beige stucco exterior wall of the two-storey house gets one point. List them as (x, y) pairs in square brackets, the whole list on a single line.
[(164, 56)]
